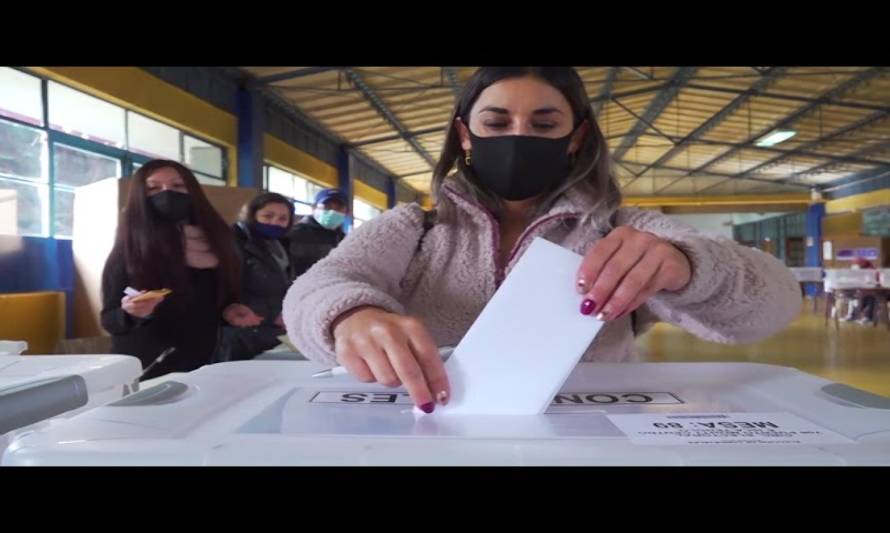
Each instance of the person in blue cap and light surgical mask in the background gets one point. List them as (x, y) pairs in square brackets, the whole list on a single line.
[(313, 237)]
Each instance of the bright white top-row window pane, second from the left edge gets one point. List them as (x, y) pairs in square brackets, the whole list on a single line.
[(85, 116)]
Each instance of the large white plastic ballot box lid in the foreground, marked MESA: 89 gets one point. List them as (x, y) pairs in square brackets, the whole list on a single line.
[(275, 413)]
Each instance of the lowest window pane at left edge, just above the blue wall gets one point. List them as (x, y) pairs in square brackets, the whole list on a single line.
[(24, 208)]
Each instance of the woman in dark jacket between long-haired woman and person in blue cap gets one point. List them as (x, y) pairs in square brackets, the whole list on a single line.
[(266, 274)]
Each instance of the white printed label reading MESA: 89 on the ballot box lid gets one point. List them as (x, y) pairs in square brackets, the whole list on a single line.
[(704, 429)]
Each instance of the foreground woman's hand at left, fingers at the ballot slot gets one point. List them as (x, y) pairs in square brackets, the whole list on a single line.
[(393, 350)]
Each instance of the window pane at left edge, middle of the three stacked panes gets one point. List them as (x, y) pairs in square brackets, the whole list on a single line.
[(23, 152)]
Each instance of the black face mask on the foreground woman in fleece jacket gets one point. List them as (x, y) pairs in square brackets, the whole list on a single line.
[(518, 167)]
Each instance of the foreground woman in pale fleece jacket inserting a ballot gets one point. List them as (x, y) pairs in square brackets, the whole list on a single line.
[(523, 158)]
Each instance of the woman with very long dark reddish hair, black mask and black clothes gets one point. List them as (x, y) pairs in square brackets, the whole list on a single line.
[(170, 237)]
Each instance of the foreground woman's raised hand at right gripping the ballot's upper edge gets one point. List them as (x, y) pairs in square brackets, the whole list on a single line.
[(626, 268)]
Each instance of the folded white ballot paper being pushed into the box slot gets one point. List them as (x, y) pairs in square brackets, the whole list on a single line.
[(525, 343)]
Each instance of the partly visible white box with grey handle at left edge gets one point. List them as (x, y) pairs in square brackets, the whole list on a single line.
[(38, 390)]
